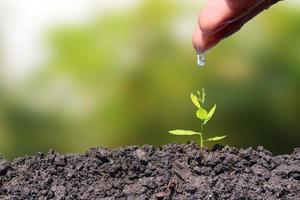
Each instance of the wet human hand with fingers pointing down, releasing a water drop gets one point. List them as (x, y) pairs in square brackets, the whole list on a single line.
[(222, 18)]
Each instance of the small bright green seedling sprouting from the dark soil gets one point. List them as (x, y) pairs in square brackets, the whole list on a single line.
[(204, 116)]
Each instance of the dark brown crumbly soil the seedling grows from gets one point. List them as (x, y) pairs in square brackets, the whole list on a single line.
[(169, 172)]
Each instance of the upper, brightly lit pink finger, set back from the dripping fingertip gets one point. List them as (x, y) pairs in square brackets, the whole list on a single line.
[(217, 12)]
